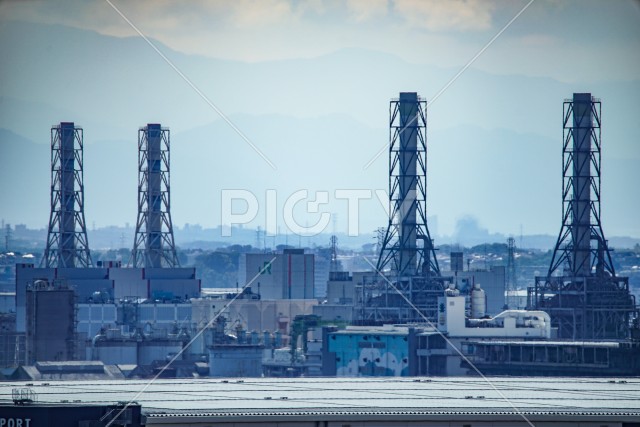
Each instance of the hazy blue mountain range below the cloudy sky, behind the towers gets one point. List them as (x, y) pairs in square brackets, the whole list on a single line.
[(494, 140)]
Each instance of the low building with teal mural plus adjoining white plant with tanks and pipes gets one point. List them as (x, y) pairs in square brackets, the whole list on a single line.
[(427, 349)]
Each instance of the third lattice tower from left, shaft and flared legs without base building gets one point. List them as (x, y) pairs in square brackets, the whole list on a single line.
[(407, 246)]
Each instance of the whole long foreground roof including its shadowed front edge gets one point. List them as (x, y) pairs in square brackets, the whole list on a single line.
[(361, 401)]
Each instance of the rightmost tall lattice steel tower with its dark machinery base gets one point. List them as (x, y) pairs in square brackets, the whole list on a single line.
[(581, 292)]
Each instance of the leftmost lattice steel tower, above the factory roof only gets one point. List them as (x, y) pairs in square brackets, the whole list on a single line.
[(67, 244)]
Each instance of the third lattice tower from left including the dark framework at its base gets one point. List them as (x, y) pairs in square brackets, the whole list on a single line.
[(407, 256)]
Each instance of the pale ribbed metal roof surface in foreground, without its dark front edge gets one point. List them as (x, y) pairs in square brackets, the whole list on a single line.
[(455, 395)]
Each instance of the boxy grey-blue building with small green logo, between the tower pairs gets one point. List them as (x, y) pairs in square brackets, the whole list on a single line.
[(286, 275)]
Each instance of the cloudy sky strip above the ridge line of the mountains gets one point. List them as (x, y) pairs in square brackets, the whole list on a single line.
[(551, 38)]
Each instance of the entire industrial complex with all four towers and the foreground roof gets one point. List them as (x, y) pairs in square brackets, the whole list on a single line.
[(80, 321)]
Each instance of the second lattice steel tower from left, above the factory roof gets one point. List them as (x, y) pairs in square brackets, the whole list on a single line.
[(154, 244)]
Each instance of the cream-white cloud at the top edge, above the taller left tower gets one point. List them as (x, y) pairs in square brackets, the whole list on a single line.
[(452, 15)]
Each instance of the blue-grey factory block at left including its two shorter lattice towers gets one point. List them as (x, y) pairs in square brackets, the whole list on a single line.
[(73, 309)]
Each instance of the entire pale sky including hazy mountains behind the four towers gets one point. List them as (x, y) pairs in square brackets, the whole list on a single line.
[(309, 84)]
